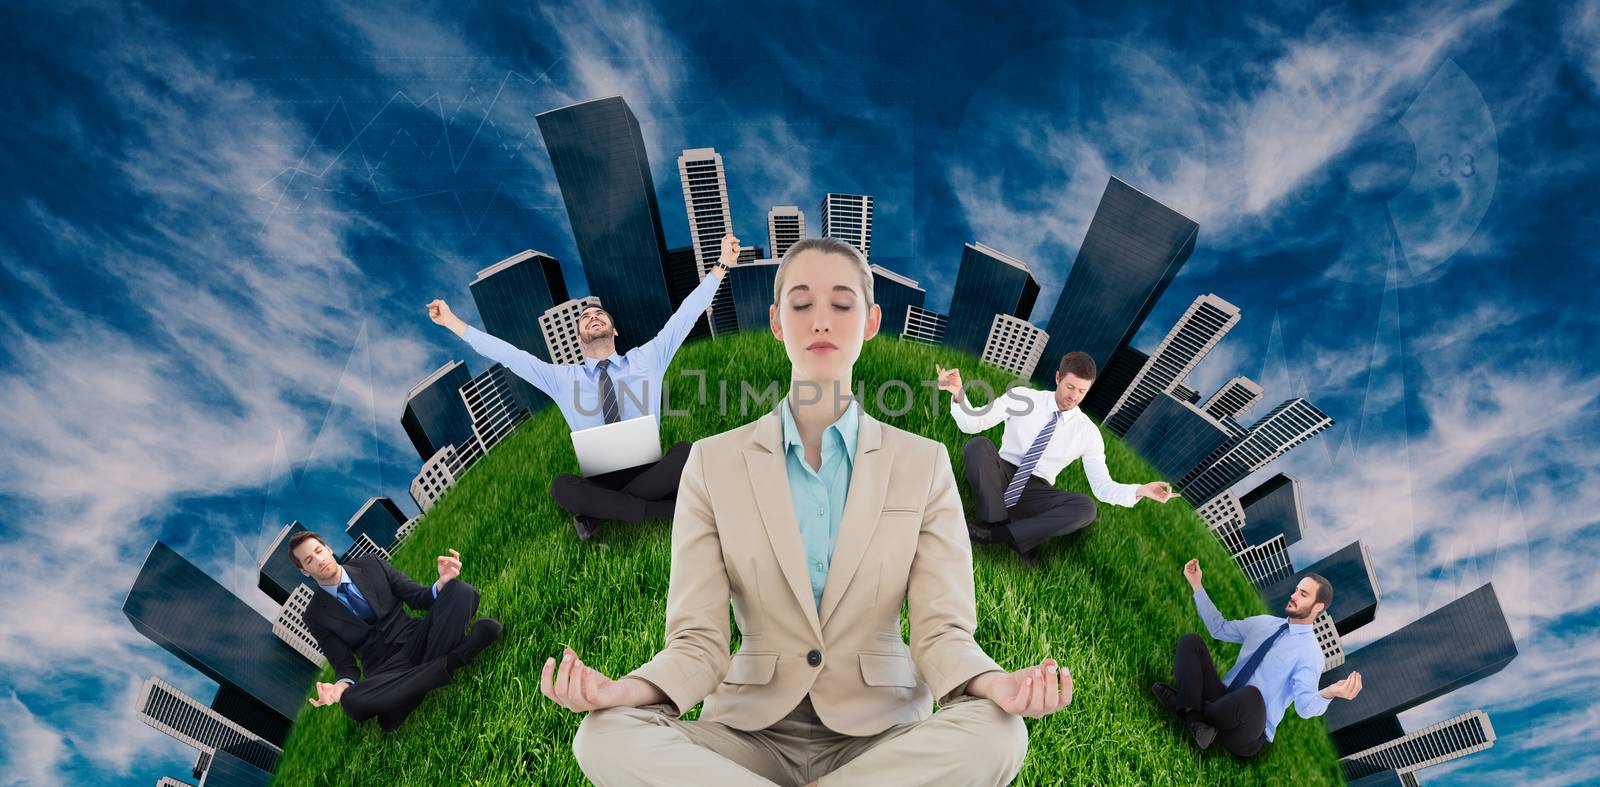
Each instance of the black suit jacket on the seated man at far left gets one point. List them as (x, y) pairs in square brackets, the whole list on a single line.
[(343, 636)]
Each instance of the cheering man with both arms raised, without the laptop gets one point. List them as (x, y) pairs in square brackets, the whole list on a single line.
[(606, 390)]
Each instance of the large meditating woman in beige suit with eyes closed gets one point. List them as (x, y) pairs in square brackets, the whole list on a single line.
[(818, 522)]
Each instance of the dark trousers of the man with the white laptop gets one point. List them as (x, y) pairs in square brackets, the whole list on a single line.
[(630, 495)]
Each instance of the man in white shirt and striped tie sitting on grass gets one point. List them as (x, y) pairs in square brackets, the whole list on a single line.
[(1017, 501)]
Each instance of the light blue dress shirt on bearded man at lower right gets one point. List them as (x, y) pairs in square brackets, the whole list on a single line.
[(1289, 673)]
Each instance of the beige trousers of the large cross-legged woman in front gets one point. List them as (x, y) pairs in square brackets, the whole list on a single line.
[(967, 743)]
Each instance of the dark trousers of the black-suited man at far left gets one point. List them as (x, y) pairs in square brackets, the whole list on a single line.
[(396, 685)]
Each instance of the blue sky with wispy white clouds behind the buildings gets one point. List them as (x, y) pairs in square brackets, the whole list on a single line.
[(222, 230)]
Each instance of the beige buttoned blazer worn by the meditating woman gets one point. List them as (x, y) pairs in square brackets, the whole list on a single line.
[(903, 537)]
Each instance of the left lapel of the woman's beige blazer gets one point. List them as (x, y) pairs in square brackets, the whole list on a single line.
[(769, 474)]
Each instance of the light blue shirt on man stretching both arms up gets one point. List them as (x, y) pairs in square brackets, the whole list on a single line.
[(636, 375)]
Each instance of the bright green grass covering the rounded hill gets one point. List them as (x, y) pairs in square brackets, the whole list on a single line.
[(1108, 602)]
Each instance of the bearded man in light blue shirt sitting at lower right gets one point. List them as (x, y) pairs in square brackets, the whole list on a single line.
[(1281, 663)]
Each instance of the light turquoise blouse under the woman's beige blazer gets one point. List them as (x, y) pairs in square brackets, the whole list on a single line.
[(820, 495)]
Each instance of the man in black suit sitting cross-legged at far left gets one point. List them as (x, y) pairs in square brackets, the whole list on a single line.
[(359, 615)]
